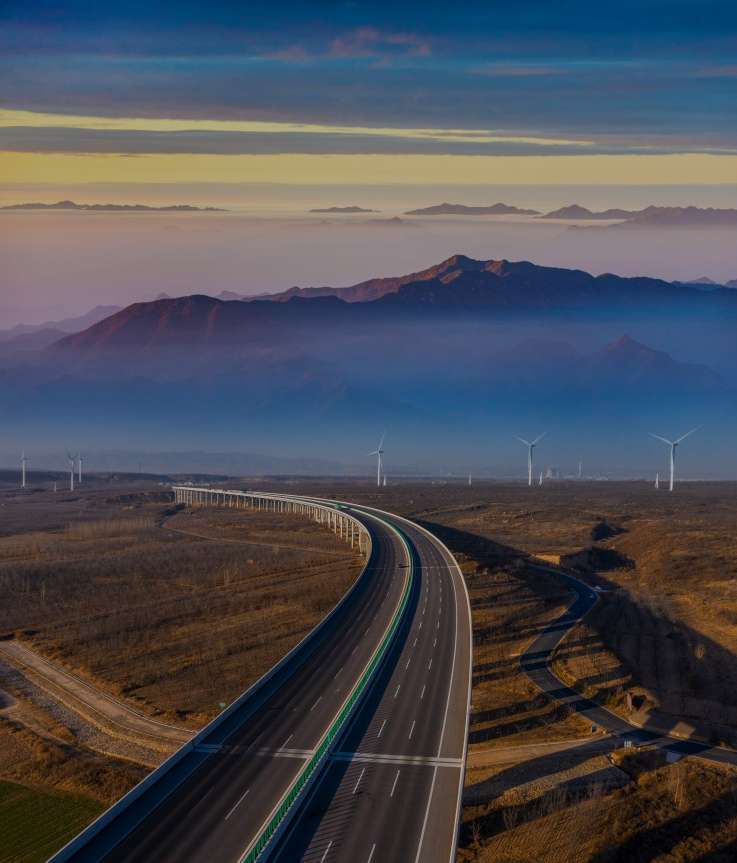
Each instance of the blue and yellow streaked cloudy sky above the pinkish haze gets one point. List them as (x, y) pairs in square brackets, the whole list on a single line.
[(336, 93)]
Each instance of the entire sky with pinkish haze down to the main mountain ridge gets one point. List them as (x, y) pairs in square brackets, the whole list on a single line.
[(271, 108)]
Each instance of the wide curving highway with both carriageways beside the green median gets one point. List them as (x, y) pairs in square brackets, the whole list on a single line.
[(390, 787)]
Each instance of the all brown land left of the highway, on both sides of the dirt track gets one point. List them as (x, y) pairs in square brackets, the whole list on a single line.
[(174, 612)]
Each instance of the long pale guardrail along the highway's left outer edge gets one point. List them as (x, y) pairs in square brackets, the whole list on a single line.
[(77, 844)]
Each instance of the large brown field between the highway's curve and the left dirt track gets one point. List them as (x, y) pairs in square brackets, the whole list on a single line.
[(176, 618)]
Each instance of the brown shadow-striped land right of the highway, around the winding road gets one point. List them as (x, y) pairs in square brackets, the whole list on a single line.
[(665, 630)]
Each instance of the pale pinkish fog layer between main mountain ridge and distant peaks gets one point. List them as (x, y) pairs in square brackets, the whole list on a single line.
[(57, 265)]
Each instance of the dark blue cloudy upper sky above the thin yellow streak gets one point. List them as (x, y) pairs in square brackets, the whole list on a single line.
[(655, 74)]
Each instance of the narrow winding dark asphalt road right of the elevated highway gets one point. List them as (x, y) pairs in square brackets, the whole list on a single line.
[(536, 663)]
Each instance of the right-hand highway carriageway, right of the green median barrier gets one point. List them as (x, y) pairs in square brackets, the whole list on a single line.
[(399, 771)]
